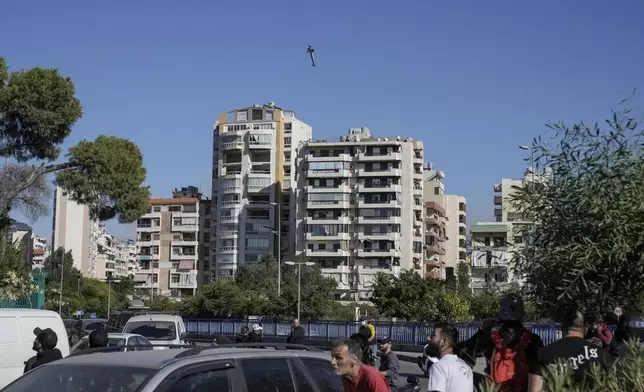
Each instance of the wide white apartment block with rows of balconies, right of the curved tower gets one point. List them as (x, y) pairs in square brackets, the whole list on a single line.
[(363, 208)]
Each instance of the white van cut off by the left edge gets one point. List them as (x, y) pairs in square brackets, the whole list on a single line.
[(17, 338)]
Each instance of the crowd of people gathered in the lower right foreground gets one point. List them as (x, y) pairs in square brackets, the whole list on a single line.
[(517, 360)]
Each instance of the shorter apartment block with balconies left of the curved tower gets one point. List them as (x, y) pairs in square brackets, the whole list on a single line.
[(168, 243)]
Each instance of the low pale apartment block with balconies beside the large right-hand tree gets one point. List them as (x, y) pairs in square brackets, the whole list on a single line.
[(491, 256)]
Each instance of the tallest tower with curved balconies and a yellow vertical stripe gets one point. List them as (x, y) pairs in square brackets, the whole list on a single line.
[(254, 156)]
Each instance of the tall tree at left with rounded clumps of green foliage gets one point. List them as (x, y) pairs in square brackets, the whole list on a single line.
[(37, 111)]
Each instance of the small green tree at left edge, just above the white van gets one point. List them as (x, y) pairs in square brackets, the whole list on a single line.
[(15, 279)]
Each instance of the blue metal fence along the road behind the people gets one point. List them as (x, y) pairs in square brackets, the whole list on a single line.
[(407, 333)]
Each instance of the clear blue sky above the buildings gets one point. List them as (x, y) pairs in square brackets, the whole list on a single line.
[(472, 79)]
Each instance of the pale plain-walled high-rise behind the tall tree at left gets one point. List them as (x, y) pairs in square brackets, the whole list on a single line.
[(75, 231)]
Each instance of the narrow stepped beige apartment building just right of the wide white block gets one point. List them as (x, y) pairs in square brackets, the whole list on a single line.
[(446, 231)]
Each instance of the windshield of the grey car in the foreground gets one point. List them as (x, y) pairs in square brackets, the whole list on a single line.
[(72, 378)]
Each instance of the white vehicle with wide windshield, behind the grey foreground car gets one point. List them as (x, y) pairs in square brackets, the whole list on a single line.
[(159, 329)]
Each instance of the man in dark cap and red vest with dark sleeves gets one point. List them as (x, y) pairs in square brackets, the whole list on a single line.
[(511, 350)]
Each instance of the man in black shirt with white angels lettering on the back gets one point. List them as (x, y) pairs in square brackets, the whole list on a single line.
[(571, 352)]
